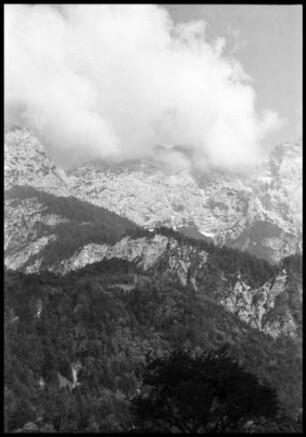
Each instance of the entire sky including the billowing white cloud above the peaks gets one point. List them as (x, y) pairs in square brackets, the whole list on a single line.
[(113, 81)]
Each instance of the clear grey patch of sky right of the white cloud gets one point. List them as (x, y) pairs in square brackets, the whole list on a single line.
[(267, 40)]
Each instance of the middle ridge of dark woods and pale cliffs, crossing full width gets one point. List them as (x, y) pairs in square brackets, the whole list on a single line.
[(63, 235)]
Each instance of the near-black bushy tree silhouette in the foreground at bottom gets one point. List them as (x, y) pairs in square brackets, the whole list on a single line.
[(195, 394)]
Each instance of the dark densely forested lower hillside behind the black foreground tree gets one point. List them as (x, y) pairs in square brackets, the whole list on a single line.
[(94, 317)]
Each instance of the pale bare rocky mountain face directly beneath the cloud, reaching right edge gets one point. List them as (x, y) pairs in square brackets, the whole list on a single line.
[(259, 212)]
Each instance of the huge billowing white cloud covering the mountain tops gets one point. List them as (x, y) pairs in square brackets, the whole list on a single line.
[(112, 81)]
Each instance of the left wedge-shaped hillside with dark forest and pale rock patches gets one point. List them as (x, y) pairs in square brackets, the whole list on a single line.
[(36, 219)]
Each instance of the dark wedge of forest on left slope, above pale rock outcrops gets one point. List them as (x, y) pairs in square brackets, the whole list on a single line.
[(86, 224)]
